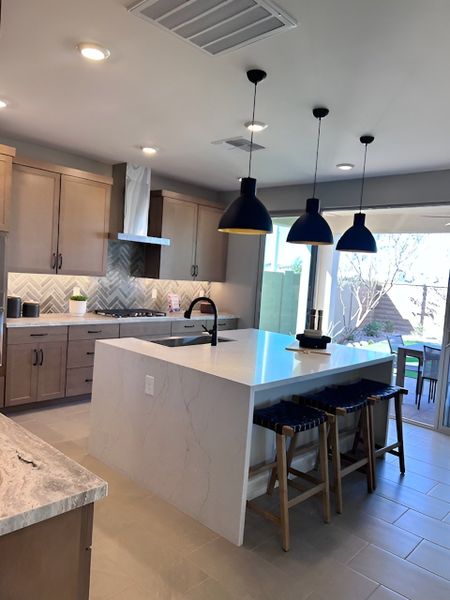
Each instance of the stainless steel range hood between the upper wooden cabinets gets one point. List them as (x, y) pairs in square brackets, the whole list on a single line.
[(130, 205)]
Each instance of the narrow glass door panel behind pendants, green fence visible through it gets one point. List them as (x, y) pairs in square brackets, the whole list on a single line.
[(285, 281)]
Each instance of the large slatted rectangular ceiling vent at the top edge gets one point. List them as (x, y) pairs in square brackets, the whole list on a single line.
[(216, 26)]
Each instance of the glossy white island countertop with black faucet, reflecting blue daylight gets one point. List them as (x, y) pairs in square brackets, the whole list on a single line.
[(255, 358)]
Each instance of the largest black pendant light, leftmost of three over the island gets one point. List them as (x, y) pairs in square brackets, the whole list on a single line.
[(248, 215)]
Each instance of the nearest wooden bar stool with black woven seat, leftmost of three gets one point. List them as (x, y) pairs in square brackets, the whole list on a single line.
[(288, 420)]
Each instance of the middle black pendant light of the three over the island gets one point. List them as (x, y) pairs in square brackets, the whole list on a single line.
[(311, 228)]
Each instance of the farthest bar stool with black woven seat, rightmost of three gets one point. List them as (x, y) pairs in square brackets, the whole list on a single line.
[(376, 392)]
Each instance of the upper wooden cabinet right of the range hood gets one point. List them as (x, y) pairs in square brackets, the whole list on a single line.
[(197, 250)]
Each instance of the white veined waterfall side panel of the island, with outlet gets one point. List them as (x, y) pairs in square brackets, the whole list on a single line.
[(189, 443)]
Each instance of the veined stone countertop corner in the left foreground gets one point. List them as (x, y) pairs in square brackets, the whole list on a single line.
[(37, 482)]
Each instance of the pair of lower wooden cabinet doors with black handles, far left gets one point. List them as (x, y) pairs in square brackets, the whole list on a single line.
[(35, 372)]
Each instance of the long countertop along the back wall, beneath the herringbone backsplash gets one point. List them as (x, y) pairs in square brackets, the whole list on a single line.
[(55, 319)]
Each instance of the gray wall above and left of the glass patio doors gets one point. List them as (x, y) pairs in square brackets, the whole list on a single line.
[(243, 256)]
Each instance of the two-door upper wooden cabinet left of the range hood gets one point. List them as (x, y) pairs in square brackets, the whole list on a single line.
[(59, 220)]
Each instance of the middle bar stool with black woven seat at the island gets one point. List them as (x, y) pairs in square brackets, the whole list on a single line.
[(339, 401)]
